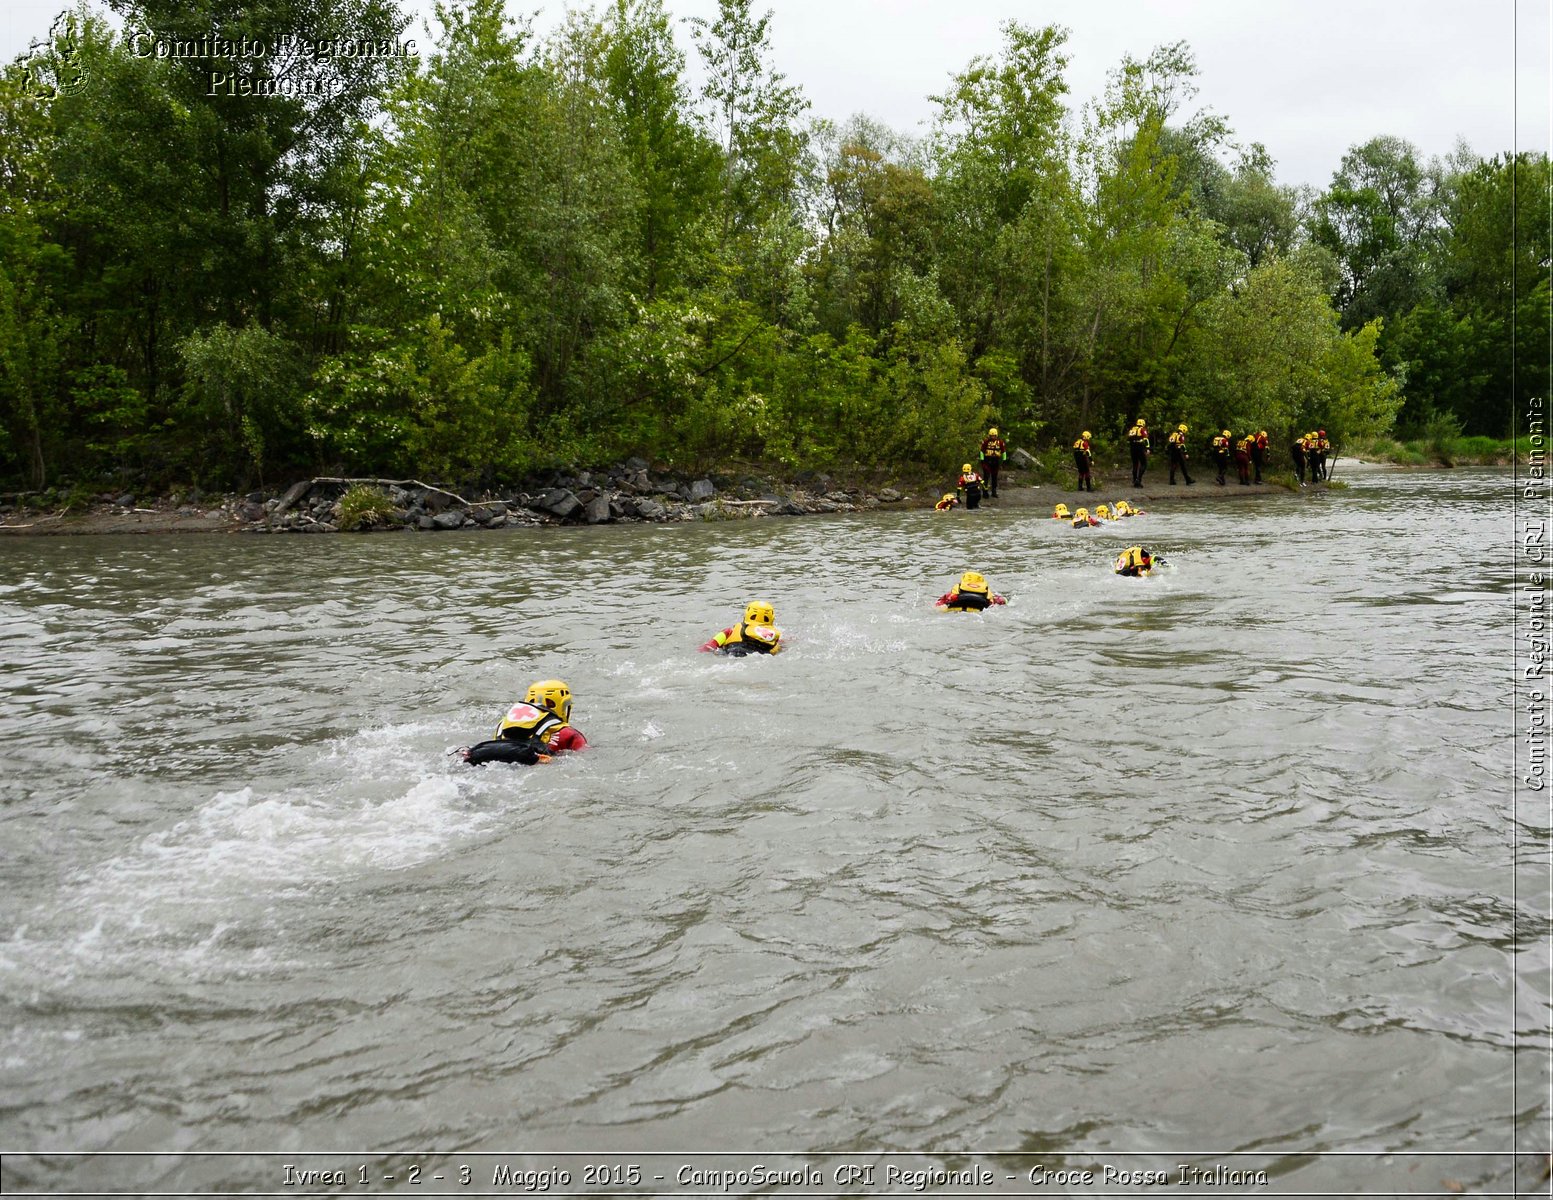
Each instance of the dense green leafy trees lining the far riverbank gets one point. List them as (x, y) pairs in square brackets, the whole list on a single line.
[(501, 254)]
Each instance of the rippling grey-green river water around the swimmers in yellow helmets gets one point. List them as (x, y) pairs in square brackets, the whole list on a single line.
[(1217, 862)]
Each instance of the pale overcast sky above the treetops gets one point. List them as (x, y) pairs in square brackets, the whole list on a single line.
[(1307, 78)]
